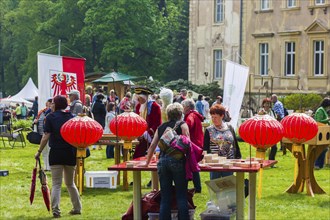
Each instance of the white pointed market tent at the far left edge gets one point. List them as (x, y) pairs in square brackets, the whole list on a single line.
[(26, 95)]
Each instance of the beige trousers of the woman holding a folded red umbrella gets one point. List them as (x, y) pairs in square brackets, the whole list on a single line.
[(57, 176)]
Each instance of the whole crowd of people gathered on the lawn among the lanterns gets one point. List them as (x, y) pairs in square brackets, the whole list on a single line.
[(161, 111)]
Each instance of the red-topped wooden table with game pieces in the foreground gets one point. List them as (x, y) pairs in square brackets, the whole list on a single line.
[(240, 197)]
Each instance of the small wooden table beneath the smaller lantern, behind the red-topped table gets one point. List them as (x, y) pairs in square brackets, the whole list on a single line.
[(111, 139)]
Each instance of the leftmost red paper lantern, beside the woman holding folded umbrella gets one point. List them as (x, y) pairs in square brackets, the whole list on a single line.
[(81, 131)]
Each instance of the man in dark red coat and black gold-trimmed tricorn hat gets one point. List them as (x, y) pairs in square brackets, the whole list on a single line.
[(150, 111)]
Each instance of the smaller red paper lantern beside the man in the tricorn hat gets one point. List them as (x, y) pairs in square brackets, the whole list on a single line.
[(128, 126)]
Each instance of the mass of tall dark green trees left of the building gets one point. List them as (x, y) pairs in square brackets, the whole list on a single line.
[(145, 37)]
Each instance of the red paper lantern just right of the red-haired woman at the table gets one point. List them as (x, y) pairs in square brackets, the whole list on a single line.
[(261, 131)]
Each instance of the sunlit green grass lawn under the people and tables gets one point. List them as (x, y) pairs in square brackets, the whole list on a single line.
[(111, 204)]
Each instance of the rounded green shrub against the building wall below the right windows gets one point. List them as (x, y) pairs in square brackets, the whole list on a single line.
[(302, 102)]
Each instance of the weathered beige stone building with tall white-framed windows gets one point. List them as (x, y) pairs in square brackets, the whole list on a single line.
[(285, 43)]
